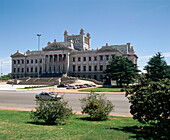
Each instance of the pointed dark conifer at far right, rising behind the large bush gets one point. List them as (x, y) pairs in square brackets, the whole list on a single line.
[(157, 68)]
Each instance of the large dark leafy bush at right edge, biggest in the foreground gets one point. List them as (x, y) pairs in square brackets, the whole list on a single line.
[(150, 101)]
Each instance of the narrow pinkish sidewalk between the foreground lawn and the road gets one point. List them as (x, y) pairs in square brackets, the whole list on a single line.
[(76, 112)]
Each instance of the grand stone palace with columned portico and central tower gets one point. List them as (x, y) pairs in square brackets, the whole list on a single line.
[(73, 57)]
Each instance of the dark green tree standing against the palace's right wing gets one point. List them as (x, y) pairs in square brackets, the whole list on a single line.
[(122, 70)]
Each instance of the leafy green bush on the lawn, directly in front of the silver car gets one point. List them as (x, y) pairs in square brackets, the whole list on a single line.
[(51, 112)]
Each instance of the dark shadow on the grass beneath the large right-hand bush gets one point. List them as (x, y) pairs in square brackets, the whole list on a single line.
[(145, 132)]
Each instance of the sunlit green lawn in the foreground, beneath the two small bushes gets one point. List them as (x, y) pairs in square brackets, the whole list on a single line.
[(17, 125)]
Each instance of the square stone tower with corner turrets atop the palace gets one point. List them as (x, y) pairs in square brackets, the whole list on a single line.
[(80, 42)]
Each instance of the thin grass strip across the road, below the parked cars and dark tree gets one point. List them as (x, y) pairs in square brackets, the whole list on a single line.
[(101, 89)]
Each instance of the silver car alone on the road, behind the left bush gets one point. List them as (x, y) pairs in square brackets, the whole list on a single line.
[(47, 95)]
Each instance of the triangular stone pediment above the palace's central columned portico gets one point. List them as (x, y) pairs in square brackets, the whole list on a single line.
[(55, 46)]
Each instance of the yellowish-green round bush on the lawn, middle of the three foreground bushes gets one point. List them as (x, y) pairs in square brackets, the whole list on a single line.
[(97, 106)]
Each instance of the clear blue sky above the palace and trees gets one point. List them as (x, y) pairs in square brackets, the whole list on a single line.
[(143, 23)]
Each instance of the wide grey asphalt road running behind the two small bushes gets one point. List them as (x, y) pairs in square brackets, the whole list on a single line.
[(26, 99)]
